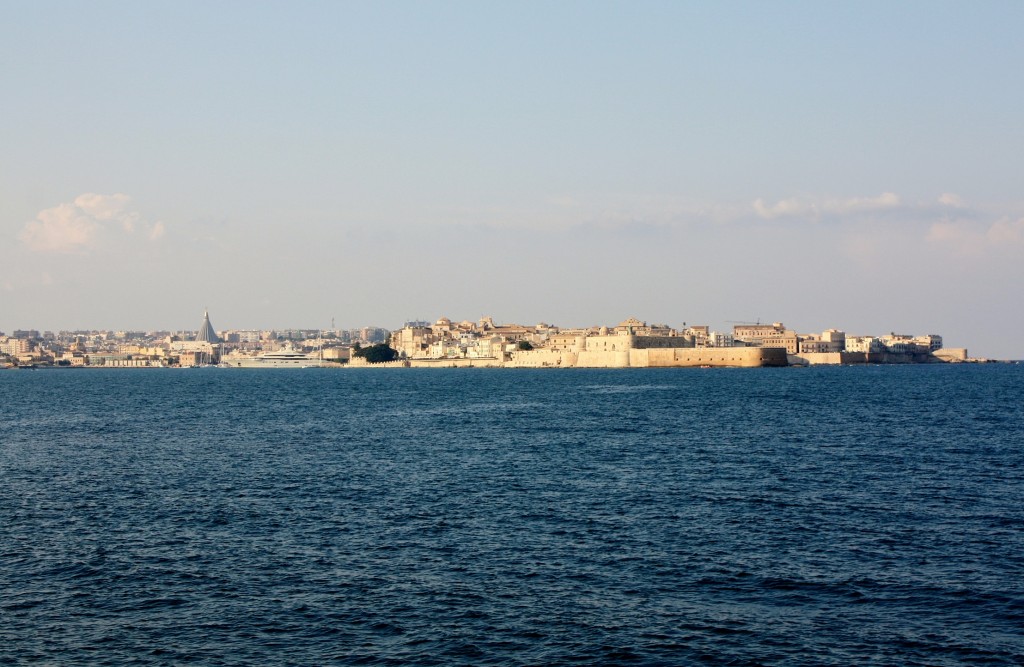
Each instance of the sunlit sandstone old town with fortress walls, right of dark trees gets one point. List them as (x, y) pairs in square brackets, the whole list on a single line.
[(633, 344)]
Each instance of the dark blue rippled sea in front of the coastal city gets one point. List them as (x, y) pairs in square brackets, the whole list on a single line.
[(383, 517)]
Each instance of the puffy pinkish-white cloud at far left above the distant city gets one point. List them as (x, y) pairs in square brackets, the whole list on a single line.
[(77, 227)]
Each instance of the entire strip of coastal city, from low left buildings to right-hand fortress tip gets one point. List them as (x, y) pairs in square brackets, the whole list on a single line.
[(444, 344)]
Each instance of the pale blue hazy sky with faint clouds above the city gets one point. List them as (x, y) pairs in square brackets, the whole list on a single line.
[(828, 165)]
